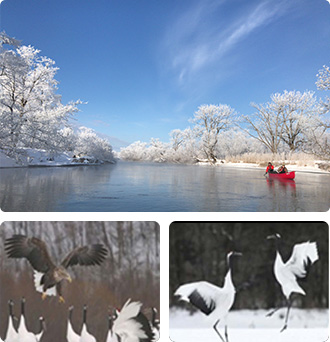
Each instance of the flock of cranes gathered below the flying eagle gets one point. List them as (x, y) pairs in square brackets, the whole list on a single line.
[(128, 324)]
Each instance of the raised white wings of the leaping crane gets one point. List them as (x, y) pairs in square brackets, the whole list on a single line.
[(303, 255)]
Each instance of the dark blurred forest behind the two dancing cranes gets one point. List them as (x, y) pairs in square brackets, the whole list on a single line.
[(198, 252)]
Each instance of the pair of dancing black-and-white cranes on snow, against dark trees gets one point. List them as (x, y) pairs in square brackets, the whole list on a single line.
[(216, 302)]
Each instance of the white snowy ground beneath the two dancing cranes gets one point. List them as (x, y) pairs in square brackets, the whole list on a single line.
[(254, 326)]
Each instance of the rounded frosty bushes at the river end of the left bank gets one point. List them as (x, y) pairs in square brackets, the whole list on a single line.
[(88, 143)]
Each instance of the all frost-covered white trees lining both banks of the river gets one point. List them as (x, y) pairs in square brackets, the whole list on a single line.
[(293, 125)]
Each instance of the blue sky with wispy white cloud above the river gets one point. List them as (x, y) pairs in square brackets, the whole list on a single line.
[(145, 66)]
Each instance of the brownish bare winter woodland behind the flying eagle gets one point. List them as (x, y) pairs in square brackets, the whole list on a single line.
[(131, 270)]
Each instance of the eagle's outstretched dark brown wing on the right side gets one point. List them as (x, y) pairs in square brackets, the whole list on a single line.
[(86, 256)]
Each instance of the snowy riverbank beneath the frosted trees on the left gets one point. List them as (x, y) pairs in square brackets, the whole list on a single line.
[(42, 158)]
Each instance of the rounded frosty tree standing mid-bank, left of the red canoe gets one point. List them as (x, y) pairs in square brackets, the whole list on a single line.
[(210, 121)]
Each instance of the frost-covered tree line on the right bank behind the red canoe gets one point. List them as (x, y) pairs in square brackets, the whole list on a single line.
[(290, 122)]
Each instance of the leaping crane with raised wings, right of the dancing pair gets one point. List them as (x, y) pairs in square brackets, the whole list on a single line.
[(303, 255)]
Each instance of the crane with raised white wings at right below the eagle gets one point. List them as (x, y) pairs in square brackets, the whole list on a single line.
[(131, 325)]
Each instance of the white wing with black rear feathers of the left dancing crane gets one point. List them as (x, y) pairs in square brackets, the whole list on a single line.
[(201, 294)]
